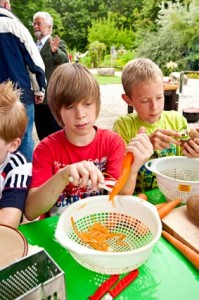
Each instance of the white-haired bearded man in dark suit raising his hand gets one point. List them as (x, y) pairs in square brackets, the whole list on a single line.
[(53, 52)]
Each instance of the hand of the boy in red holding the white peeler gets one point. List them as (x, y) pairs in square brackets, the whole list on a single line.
[(82, 172)]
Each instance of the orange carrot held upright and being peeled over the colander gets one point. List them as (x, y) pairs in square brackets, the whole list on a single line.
[(126, 168)]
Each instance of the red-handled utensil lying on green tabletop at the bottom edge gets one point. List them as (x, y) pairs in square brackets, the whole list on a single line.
[(104, 292)]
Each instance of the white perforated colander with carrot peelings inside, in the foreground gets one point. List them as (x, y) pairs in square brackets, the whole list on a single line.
[(137, 219)]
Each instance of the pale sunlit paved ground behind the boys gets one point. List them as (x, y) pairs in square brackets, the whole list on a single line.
[(113, 106)]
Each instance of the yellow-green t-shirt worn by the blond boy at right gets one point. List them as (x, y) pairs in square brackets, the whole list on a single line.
[(127, 127)]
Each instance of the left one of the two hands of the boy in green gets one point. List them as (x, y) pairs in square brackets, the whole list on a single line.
[(162, 138)]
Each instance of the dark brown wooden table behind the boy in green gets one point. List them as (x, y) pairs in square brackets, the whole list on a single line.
[(170, 95)]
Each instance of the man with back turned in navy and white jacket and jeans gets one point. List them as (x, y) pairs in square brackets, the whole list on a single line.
[(21, 63)]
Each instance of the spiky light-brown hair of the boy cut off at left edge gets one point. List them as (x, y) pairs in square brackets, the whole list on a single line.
[(13, 117)]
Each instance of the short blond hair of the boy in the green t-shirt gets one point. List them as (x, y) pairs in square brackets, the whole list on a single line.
[(139, 70)]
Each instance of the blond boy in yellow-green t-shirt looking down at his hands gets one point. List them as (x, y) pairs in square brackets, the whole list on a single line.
[(143, 84)]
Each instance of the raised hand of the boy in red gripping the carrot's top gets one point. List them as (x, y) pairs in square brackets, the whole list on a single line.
[(141, 148)]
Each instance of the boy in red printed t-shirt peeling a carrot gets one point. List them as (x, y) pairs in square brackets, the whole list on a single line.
[(80, 150)]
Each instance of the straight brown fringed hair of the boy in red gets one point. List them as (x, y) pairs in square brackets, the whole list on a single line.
[(71, 83)]
